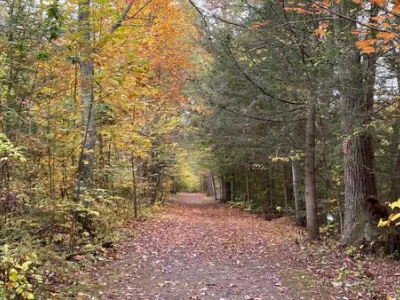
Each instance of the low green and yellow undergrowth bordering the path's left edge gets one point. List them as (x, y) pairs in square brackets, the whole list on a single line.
[(40, 246)]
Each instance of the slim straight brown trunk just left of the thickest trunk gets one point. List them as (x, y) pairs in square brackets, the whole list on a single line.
[(310, 182)]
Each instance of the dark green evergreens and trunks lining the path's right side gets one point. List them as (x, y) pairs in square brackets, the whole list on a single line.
[(300, 110)]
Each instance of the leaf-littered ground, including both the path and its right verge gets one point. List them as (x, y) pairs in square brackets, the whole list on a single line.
[(197, 248)]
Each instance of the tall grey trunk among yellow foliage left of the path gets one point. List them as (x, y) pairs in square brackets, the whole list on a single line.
[(87, 158)]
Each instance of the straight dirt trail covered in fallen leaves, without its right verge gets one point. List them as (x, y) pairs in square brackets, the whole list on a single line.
[(199, 249)]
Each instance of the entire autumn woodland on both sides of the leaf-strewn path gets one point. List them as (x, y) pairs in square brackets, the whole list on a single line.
[(278, 107)]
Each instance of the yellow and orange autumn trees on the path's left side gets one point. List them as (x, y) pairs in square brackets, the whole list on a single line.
[(90, 104)]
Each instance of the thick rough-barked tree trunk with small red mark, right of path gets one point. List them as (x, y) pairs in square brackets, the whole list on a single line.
[(357, 91)]
